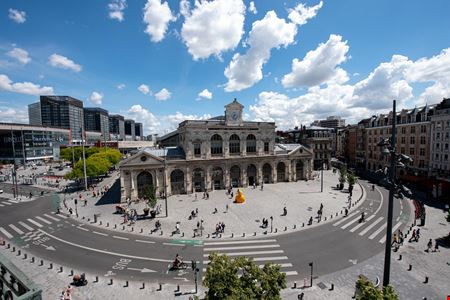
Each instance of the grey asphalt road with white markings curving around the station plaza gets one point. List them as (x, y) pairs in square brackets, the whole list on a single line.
[(331, 247)]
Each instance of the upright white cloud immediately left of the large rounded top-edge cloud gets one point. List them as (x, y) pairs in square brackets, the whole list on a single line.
[(157, 16)]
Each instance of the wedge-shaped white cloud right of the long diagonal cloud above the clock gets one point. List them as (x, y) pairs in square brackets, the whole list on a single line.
[(319, 65)]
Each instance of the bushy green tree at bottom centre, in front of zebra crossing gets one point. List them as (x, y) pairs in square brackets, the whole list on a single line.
[(241, 278)]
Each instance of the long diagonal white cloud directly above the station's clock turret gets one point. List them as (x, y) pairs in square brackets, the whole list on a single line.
[(270, 32)]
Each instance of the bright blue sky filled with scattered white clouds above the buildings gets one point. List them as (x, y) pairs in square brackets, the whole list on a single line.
[(162, 62)]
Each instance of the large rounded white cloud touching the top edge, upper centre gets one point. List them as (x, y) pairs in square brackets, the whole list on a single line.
[(212, 27)]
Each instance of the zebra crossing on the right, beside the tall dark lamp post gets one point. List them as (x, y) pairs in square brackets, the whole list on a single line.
[(374, 228)]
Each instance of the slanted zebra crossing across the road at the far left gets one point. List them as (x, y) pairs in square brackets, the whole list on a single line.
[(25, 227)]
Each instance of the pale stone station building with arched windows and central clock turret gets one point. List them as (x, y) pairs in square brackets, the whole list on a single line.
[(216, 154)]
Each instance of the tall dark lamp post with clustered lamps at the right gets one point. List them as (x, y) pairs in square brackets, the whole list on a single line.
[(396, 160)]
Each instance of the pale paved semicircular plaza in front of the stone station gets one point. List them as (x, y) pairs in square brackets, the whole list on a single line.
[(302, 200)]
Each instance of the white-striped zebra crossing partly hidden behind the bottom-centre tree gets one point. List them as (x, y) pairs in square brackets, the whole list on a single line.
[(261, 252)]
